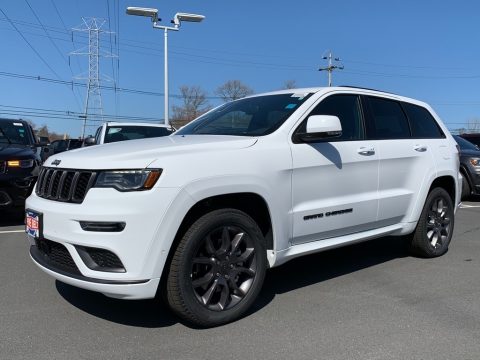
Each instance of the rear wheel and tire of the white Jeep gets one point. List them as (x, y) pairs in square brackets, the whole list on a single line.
[(435, 227)]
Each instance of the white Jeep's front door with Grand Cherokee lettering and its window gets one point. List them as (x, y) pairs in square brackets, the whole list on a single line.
[(334, 182)]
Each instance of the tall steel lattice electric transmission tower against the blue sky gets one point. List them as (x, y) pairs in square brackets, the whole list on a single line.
[(93, 100)]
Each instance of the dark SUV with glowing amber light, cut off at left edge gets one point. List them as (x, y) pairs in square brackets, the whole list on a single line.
[(19, 163)]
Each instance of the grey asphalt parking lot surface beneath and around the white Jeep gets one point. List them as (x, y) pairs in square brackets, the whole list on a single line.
[(367, 301)]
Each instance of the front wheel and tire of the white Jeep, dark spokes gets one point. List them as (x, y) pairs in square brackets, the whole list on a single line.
[(217, 269)]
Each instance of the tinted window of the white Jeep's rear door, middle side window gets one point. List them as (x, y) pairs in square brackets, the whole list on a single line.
[(388, 120)]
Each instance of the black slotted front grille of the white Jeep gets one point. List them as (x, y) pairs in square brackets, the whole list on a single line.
[(65, 185)]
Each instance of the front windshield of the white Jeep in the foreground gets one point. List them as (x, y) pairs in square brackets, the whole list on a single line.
[(255, 116)]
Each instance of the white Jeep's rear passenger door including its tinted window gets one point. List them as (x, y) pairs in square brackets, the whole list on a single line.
[(405, 162)]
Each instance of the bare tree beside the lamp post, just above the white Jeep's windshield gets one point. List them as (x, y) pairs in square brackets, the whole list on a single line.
[(194, 104)]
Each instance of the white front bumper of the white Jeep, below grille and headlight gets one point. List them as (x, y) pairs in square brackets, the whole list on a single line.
[(141, 246)]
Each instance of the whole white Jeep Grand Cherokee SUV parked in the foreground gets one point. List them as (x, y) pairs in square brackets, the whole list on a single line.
[(200, 215)]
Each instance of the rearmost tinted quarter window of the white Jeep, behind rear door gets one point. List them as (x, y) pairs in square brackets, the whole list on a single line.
[(422, 122)]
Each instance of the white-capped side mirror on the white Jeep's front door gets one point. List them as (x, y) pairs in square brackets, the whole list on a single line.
[(320, 127)]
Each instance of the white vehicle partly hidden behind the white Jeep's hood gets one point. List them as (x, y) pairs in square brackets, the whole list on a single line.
[(120, 131)]
